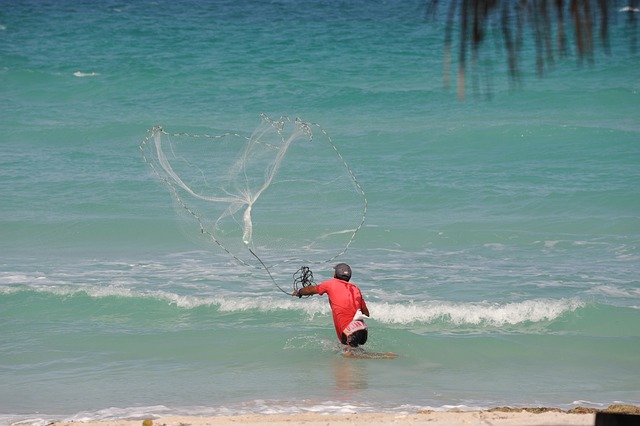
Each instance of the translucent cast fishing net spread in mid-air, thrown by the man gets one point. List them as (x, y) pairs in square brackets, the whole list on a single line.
[(281, 195)]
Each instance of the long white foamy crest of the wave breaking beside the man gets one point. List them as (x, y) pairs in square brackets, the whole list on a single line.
[(455, 313)]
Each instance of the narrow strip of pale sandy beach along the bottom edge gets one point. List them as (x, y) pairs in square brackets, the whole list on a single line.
[(503, 416)]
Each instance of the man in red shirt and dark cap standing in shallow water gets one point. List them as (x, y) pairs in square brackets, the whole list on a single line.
[(347, 305)]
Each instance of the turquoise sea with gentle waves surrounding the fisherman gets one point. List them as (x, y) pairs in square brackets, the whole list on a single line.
[(499, 256)]
